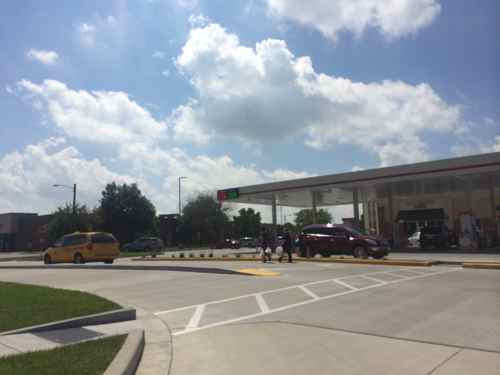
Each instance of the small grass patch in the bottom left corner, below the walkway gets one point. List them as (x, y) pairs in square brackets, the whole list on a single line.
[(87, 358)]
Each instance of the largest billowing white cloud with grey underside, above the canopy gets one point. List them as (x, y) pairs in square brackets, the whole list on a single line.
[(265, 93)]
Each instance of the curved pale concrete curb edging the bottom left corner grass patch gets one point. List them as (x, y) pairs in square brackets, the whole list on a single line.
[(128, 358)]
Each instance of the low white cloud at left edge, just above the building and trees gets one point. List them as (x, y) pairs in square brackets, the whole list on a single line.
[(26, 177)]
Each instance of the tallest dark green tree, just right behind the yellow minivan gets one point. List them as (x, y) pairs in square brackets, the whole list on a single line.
[(126, 212)]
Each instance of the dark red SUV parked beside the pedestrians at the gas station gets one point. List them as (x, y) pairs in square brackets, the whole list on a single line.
[(328, 239)]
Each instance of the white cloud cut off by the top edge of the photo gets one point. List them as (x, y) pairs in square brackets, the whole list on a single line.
[(393, 18)]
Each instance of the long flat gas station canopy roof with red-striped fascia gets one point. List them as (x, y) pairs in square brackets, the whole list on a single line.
[(338, 189)]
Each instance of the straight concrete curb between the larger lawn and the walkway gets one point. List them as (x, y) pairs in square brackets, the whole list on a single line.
[(113, 316)]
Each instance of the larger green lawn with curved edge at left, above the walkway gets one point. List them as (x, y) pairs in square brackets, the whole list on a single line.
[(23, 305)]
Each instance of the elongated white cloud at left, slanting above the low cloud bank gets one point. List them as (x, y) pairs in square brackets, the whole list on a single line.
[(98, 116)]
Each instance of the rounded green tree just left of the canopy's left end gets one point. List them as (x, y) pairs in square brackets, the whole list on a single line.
[(203, 220)]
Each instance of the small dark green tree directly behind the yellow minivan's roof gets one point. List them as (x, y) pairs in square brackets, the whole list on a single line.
[(64, 222)]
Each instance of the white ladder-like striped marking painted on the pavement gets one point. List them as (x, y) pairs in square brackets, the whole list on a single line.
[(193, 324)]
